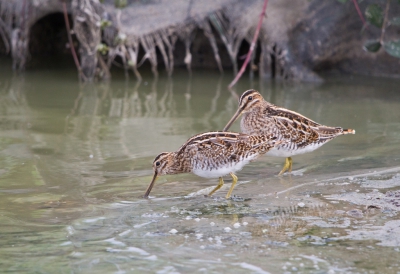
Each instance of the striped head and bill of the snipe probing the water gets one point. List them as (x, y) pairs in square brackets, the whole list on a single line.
[(162, 164)]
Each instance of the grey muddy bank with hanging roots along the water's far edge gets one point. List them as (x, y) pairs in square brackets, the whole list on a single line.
[(300, 42)]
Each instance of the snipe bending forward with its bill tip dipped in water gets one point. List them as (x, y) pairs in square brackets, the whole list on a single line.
[(212, 155)]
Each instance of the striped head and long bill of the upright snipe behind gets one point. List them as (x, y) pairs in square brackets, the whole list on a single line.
[(249, 100)]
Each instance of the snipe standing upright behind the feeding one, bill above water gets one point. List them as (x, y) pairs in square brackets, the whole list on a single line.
[(301, 133)]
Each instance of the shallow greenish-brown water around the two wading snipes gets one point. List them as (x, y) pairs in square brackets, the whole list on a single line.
[(75, 159)]
